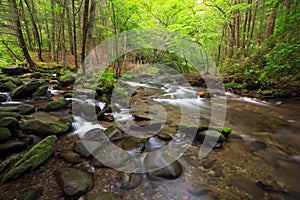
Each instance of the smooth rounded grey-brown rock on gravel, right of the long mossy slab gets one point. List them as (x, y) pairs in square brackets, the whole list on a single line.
[(72, 181)]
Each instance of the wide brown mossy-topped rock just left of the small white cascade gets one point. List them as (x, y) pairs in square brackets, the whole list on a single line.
[(43, 124)]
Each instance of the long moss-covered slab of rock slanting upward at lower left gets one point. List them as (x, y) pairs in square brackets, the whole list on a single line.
[(37, 155)]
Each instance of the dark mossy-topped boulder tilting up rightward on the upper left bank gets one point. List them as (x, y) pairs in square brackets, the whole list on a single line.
[(25, 91)]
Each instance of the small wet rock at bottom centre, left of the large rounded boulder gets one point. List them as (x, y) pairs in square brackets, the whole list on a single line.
[(129, 181)]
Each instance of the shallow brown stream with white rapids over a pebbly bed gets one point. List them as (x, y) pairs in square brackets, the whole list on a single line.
[(259, 160)]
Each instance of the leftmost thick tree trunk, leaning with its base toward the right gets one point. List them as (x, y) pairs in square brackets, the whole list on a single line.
[(16, 20)]
